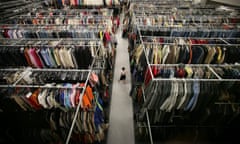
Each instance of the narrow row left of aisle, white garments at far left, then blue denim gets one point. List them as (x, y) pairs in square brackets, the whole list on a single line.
[(67, 31)]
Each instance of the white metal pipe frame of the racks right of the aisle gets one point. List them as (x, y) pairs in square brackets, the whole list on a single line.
[(210, 67)]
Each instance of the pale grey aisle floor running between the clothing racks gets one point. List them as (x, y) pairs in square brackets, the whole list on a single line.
[(121, 129)]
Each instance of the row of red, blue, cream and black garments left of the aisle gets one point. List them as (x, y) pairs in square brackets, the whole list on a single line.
[(55, 55)]
